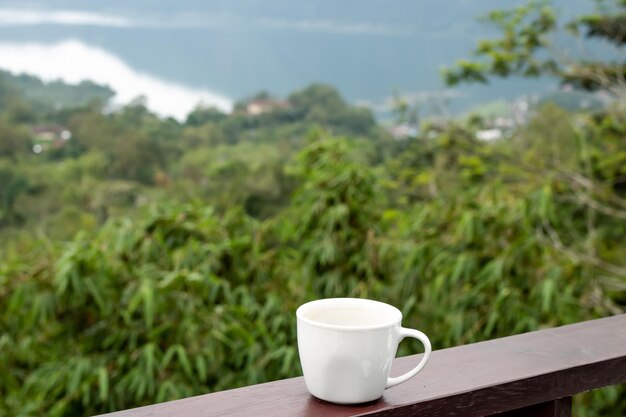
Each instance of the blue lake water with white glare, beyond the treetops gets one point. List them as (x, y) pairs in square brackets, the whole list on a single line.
[(180, 53)]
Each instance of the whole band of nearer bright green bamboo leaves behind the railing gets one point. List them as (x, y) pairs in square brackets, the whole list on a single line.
[(184, 300)]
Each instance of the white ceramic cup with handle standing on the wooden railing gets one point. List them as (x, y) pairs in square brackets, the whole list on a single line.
[(347, 346)]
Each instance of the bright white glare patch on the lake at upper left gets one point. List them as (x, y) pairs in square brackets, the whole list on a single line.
[(73, 61)]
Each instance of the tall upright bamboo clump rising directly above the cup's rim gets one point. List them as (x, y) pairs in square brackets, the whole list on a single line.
[(336, 208)]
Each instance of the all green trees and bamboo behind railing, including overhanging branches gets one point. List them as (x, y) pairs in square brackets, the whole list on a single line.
[(145, 259)]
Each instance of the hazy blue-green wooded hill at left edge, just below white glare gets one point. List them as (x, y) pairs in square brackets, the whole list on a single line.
[(55, 94)]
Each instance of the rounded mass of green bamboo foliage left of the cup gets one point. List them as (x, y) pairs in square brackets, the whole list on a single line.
[(173, 293)]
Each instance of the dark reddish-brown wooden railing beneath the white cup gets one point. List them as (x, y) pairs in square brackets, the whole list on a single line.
[(531, 374)]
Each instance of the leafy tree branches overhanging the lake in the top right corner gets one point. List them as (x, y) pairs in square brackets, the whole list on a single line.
[(525, 47)]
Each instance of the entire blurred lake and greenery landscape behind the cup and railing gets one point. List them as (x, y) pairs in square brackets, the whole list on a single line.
[(177, 177)]
